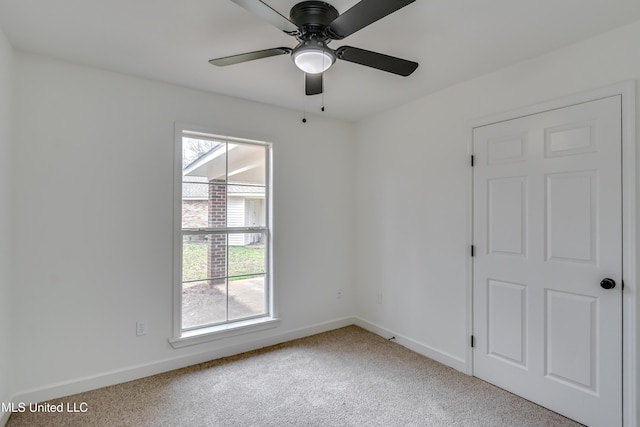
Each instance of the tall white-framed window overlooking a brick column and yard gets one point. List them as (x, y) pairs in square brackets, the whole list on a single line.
[(223, 237)]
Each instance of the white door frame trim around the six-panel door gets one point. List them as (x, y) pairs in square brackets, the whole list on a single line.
[(630, 298)]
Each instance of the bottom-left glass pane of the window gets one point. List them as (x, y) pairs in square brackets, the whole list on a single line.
[(203, 303)]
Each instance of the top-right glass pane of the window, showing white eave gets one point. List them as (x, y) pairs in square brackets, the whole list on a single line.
[(247, 164)]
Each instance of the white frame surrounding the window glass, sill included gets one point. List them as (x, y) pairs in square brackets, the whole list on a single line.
[(192, 336)]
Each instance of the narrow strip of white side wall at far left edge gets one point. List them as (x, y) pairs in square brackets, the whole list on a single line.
[(6, 72)]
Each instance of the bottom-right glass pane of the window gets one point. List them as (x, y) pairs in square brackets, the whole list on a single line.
[(247, 297)]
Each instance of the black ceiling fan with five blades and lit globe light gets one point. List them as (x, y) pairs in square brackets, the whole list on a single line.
[(315, 24)]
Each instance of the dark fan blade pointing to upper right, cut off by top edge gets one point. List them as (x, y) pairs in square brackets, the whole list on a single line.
[(362, 14)]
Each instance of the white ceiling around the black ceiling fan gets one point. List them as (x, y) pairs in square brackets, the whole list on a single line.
[(172, 40)]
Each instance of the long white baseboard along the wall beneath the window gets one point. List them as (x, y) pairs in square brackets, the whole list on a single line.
[(105, 379)]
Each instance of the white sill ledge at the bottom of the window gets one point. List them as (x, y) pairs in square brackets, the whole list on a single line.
[(213, 333)]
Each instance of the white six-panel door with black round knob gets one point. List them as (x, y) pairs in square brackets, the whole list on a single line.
[(547, 224)]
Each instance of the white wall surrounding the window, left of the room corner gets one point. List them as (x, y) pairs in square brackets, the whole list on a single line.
[(93, 205)]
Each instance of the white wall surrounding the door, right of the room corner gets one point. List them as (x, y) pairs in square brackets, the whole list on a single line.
[(412, 187)]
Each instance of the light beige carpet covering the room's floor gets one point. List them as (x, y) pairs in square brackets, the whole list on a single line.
[(346, 377)]
